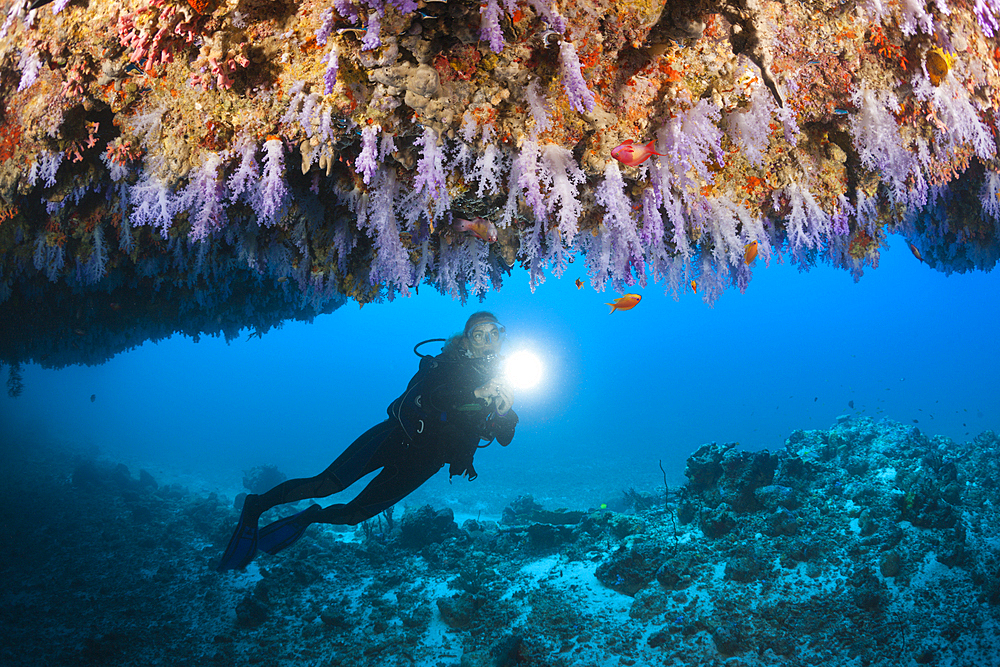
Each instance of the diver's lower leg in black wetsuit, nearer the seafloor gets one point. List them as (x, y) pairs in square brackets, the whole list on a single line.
[(399, 478)]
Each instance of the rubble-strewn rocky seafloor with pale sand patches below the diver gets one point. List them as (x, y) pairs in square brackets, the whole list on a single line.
[(870, 543)]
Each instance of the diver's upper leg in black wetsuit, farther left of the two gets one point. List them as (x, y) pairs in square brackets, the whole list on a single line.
[(361, 457)]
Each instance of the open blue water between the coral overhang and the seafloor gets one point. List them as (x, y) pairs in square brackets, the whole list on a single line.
[(636, 387)]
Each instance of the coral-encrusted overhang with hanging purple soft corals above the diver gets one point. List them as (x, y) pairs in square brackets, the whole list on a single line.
[(208, 165)]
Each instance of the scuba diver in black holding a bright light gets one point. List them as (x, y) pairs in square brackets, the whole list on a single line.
[(455, 400)]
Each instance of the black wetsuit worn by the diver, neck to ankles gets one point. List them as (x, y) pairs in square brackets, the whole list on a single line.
[(461, 422)]
